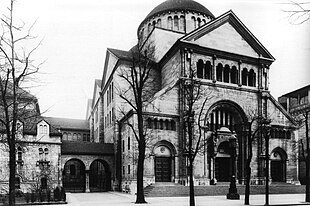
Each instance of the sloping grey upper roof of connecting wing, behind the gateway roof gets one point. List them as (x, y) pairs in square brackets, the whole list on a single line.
[(65, 123)]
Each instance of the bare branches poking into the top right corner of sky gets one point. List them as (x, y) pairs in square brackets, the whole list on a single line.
[(298, 12)]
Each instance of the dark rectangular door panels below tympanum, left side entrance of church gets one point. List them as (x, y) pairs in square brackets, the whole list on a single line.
[(162, 169)]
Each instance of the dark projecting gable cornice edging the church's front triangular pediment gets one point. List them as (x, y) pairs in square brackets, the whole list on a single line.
[(231, 18)]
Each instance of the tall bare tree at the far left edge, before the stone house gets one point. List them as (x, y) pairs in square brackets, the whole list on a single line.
[(16, 68)]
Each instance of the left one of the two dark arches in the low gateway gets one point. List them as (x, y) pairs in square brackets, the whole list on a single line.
[(74, 176)]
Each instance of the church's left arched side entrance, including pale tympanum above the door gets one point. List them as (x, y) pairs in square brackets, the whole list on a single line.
[(163, 164)]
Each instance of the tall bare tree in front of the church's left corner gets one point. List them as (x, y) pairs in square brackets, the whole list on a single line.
[(137, 95)]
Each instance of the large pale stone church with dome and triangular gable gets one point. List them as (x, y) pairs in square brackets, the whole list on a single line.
[(231, 64)]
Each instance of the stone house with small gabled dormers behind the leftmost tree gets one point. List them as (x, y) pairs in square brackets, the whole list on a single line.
[(38, 146)]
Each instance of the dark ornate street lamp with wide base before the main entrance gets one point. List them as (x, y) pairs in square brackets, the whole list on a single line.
[(233, 194)]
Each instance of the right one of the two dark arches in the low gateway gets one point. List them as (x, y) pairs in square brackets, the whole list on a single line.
[(99, 176)]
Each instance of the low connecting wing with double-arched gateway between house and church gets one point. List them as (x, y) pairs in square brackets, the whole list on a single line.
[(86, 164)]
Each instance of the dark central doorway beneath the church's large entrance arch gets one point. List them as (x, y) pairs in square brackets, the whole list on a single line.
[(222, 163)]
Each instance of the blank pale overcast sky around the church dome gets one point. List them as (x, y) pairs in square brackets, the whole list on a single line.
[(76, 34)]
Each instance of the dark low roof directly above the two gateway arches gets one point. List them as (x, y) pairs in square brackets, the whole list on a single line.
[(89, 148)]
